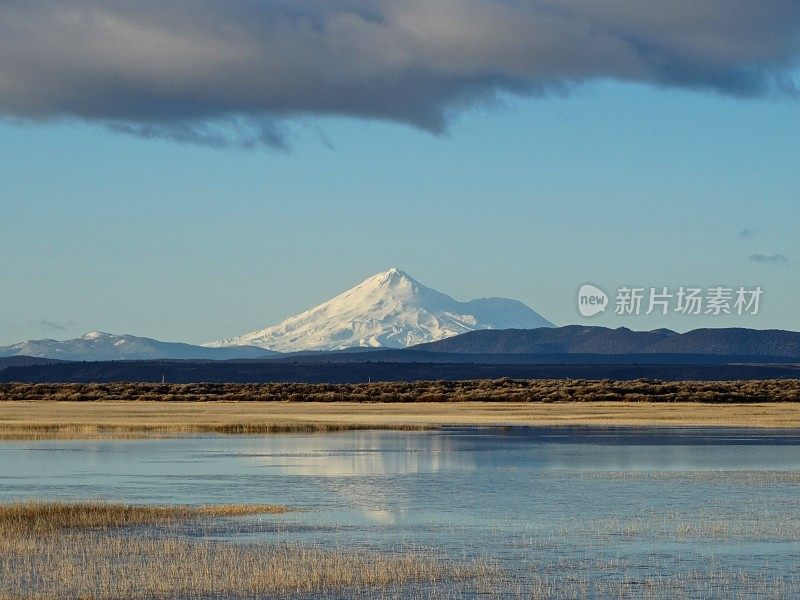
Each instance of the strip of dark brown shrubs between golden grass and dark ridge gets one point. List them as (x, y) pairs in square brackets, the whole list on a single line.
[(479, 390)]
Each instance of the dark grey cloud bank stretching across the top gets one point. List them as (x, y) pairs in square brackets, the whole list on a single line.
[(230, 71)]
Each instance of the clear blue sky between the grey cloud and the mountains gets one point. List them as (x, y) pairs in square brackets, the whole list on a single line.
[(615, 184)]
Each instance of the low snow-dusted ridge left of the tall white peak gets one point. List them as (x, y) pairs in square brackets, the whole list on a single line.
[(106, 346)]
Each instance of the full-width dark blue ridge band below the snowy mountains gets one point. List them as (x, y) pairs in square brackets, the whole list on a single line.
[(565, 352)]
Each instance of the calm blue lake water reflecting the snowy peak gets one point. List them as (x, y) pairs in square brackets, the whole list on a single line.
[(589, 501)]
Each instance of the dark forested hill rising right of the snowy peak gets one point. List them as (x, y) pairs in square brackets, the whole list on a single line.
[(602, 340)]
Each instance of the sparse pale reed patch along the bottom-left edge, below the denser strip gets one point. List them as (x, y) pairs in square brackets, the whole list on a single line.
[(88, 566)]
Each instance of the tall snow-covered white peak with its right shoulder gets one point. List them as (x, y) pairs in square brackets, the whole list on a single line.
[(392, 310)]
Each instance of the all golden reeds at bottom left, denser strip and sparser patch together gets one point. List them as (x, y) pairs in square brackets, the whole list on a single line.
[(66, 550)]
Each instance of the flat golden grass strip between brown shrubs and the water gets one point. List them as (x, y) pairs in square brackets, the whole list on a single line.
[(50, 419)]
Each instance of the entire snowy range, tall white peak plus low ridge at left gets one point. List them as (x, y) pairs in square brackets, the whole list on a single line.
[(390, 310)]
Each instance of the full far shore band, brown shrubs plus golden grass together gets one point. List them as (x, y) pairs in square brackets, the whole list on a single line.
[(126, 410)]
